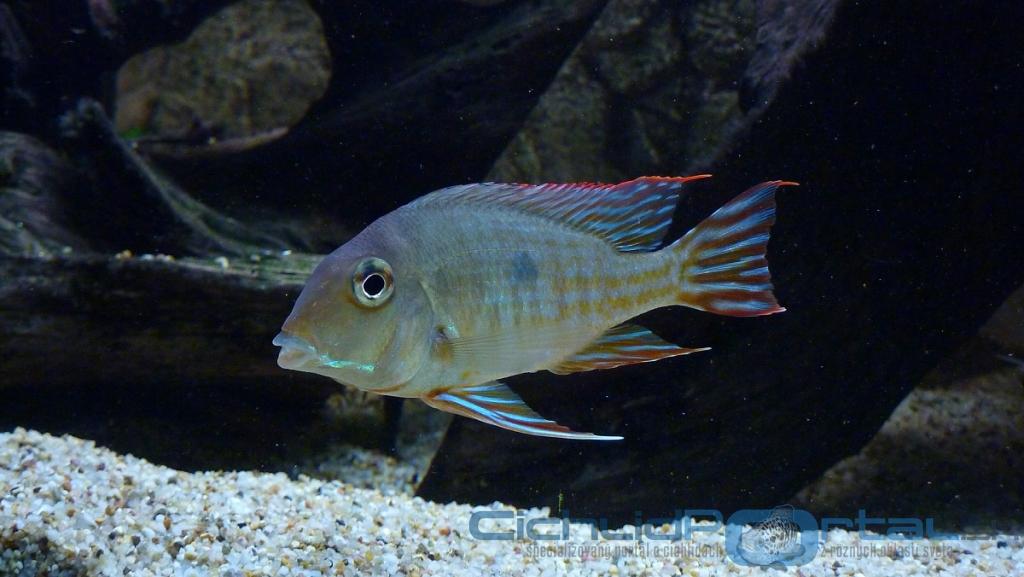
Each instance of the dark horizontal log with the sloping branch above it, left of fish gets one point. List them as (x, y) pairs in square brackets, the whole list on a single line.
[(199, 304)]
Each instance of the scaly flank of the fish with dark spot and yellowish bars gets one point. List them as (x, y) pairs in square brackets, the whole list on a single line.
[(499, 270)]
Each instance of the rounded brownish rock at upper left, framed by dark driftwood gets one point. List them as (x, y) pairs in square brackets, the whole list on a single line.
[(252, 68)]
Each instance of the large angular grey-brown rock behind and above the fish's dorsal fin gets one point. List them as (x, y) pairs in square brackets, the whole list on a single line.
[(655, 89)]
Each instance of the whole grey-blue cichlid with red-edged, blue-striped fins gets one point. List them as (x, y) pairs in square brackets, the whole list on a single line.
[(446, 297)]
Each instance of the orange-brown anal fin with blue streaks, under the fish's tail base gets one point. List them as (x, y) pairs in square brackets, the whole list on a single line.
[(624, 345)]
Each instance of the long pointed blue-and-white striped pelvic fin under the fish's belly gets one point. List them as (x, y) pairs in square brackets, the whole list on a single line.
[(494, 403)]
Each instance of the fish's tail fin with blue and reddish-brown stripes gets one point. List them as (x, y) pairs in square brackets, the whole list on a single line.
[(723, 267)]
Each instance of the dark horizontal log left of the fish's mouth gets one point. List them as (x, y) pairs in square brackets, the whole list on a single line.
[(95, 319)]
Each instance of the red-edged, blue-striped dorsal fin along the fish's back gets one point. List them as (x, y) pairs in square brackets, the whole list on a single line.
[(632, 216)]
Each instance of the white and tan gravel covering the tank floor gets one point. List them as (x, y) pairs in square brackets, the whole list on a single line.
[(69, 508)]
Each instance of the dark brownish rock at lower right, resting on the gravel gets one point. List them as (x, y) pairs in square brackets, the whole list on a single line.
[(967, 416)]
